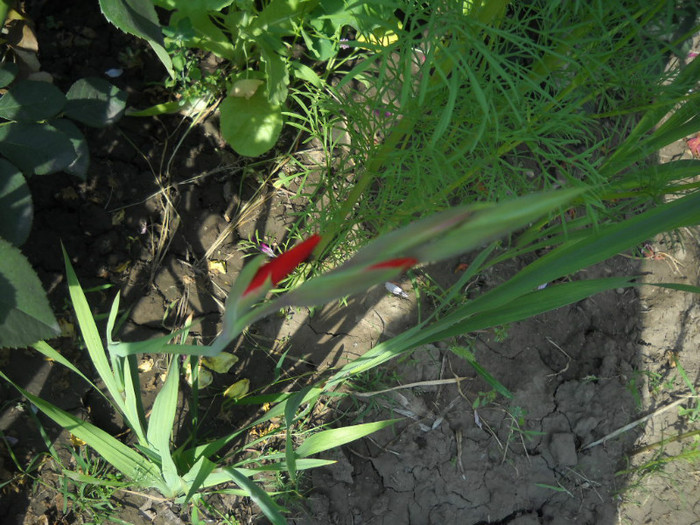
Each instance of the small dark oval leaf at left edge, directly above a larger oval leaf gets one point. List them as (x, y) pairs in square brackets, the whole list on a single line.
[(30, 101)]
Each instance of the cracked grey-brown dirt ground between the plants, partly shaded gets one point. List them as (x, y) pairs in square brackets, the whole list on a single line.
[(579, 374)]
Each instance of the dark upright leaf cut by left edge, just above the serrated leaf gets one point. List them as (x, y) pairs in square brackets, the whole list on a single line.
[(16, 208)]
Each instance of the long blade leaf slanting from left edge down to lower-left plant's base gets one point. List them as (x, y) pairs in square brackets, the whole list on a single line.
[(116, 453)]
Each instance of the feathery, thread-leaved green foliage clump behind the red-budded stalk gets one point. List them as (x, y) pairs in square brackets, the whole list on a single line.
[(479, 104)]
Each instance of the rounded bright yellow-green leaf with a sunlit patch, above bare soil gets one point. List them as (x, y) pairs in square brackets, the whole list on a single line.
[(251, 126)]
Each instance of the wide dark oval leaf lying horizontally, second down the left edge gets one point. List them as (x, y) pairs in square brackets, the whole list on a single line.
[(36, 148)]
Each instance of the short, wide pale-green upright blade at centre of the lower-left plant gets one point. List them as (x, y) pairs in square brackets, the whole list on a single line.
[(160, 427)]
